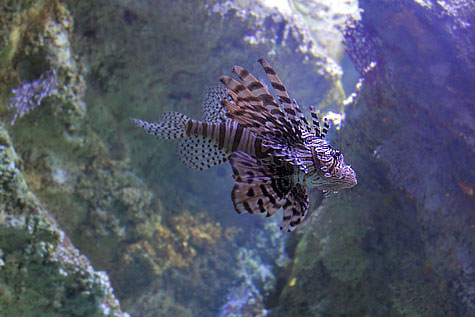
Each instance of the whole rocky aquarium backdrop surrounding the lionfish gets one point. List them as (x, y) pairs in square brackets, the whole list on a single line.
[(76, 175)]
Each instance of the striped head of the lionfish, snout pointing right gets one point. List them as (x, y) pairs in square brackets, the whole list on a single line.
[(331, 173)]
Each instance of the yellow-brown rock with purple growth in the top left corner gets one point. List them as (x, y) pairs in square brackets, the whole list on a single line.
[(38, 53)]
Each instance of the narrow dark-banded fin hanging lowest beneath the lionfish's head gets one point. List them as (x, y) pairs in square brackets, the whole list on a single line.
[(295, 207)]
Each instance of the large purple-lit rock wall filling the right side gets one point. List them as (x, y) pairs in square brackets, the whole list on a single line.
[(401, 242)]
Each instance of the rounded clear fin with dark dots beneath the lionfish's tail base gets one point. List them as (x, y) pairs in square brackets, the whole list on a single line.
[(200, 153)]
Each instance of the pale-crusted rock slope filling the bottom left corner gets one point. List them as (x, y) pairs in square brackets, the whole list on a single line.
[(41, 272)]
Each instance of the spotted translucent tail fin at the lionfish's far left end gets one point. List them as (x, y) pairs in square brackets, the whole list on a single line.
[(170, 125)]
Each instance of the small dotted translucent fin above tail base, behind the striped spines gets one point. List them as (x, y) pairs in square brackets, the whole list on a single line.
[(213, 110)]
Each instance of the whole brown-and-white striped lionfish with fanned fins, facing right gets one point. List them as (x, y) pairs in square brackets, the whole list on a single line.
[(274, 151)]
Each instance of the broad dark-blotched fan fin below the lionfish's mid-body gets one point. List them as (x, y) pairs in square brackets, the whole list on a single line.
[(256, 189)]
